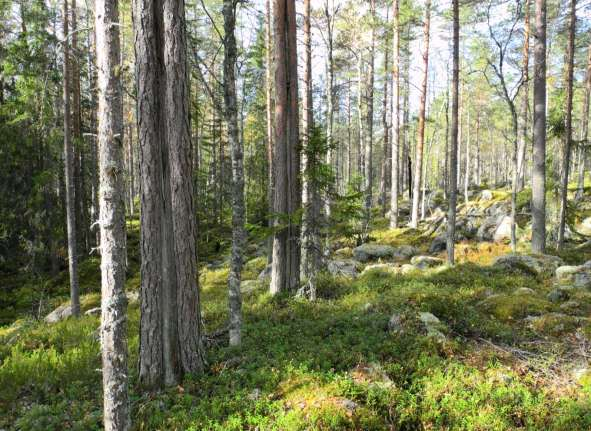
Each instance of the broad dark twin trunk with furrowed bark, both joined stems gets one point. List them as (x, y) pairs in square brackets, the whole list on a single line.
[(170, 323)]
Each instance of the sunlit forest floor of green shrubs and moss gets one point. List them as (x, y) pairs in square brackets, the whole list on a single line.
[(475, 347)]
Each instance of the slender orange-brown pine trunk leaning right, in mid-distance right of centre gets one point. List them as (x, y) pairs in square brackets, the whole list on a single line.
[(421, 126)]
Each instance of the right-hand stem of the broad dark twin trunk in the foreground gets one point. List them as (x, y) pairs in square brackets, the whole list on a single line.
[(182, 205)]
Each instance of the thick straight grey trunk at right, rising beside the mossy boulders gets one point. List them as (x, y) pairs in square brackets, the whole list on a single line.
[(538, 243)]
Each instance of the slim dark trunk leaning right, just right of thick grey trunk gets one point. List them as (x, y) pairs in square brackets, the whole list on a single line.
[(568, 123)]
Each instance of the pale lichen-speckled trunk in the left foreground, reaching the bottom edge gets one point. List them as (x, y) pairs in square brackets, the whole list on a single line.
[(112, 219)]
